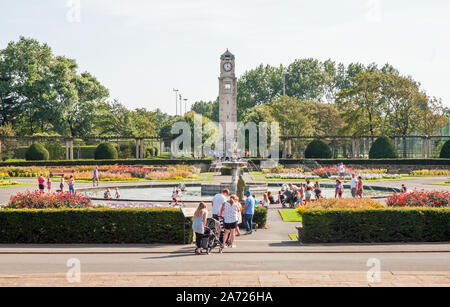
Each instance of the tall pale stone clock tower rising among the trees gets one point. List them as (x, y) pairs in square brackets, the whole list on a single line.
[(228, 102)]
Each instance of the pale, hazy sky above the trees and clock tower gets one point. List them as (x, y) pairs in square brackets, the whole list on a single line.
[(142, 49)]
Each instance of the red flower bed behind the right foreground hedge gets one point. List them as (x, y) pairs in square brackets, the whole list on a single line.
[(422, 198)]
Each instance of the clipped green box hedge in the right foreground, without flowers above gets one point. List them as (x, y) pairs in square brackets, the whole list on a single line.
[(376, 226)]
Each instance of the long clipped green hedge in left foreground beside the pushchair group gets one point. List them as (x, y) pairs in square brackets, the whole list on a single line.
[(93, 226)]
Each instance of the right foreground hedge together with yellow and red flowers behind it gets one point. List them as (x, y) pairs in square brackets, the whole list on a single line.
[(418, 216)]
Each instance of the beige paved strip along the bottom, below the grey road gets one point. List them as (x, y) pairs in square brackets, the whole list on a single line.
[(234, 279)]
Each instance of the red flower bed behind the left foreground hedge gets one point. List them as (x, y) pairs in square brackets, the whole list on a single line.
[(36, 200)]
